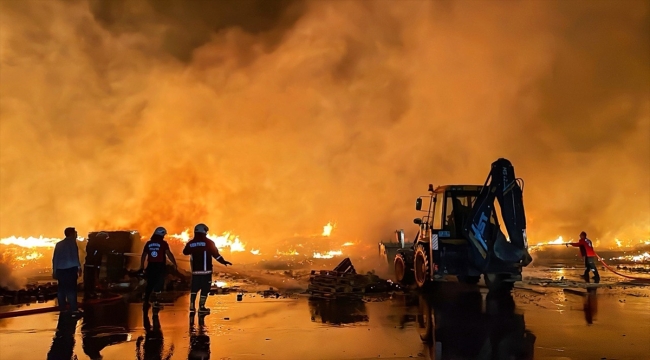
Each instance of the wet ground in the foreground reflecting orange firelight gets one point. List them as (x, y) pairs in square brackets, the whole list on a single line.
[(551, 316)]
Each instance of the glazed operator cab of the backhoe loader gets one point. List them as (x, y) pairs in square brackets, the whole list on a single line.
[(449, 208)]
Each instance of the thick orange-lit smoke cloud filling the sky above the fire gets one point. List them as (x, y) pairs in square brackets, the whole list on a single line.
[(273, 118)]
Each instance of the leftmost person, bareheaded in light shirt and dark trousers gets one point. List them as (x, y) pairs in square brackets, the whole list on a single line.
[(66, 268)]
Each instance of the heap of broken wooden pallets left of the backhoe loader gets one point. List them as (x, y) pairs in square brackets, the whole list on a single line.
[(341, 283)]
